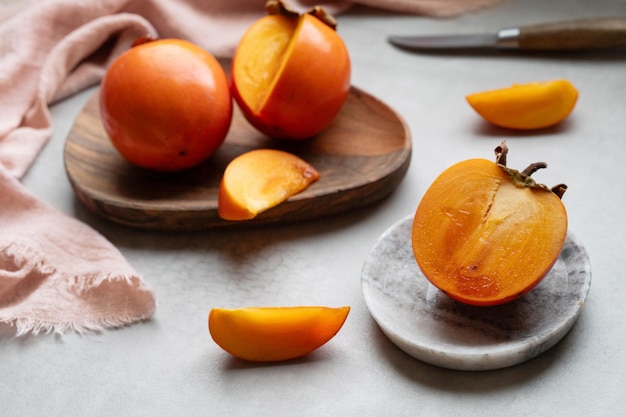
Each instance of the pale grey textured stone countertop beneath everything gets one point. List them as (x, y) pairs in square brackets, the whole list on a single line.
[(169, 366)]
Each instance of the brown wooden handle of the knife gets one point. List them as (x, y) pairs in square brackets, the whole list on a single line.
[(576, 34)]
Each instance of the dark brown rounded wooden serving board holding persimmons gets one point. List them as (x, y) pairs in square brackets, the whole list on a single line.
[(361, 157)]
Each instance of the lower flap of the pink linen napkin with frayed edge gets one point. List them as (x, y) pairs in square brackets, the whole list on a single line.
[(56, 273)]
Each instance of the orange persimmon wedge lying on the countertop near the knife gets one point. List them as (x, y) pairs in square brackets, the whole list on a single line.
[(526, 106)]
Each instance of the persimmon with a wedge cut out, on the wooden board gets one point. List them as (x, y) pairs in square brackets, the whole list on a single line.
[(291, 72)]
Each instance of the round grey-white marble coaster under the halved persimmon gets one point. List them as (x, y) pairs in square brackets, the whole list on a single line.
[(430, 326)]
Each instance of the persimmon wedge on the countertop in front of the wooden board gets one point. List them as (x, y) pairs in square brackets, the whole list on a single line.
[(270, 334)]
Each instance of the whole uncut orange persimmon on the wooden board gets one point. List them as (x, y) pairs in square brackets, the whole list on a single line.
[(166, 104)]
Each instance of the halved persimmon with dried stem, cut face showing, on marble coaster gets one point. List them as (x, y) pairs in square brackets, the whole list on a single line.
[(485, 234)]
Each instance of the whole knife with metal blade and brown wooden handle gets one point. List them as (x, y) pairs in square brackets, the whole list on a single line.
[(570, 35)]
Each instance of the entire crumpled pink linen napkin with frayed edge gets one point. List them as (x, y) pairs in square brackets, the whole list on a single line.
[(55, 272)]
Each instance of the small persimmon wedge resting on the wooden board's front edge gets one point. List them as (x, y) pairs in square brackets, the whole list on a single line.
[(260, 179)]
